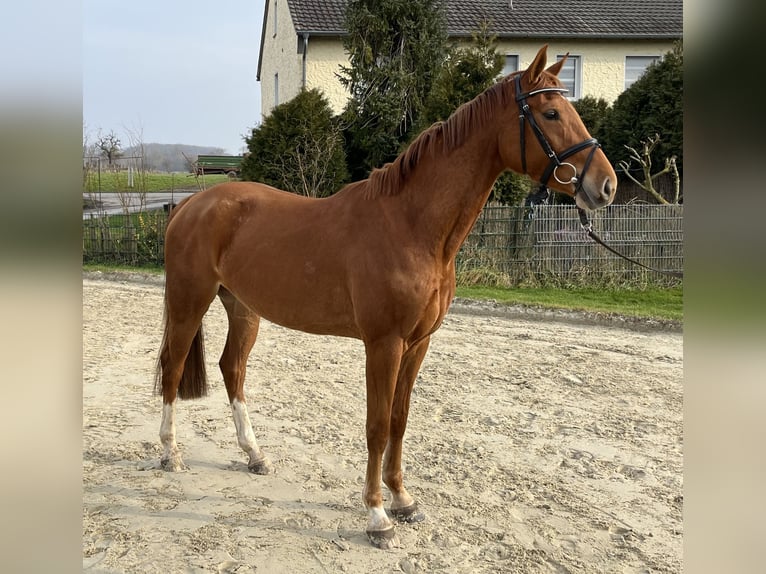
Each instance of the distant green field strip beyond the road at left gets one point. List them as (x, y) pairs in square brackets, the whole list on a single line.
[(150, 181)]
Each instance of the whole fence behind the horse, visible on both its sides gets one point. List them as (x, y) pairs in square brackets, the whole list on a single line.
[(508, 246)]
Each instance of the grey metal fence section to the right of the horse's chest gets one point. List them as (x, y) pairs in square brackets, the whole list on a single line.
[(513, 246)]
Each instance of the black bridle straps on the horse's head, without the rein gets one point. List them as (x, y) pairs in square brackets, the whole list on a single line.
[(525, 115)]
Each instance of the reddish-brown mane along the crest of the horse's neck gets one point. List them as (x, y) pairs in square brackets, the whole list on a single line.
[(389, 179)]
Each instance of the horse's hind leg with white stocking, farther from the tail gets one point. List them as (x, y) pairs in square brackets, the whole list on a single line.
[(243, 330)]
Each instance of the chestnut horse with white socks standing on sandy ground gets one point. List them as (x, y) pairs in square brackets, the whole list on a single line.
[(375, 261)]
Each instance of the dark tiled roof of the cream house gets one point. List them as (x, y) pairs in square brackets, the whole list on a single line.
[(628, 19)]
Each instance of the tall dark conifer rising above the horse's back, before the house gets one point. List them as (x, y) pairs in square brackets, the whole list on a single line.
[(395, 50)]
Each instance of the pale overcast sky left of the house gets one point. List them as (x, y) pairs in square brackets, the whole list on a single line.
[(173, 71)]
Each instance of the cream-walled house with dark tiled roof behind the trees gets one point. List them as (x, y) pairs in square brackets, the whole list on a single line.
[(610, 42)]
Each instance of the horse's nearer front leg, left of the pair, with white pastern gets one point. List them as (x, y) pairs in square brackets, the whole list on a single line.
[(383, 360)]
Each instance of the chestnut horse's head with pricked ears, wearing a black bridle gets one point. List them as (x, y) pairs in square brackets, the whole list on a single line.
[(555, 146)]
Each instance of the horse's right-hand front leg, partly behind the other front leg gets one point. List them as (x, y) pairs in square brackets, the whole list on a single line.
[(403, 506)]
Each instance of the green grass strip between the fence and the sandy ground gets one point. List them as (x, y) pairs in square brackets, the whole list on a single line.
[(650, 303)]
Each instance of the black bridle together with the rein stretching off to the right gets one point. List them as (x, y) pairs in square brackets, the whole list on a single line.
[(556, 161)]
